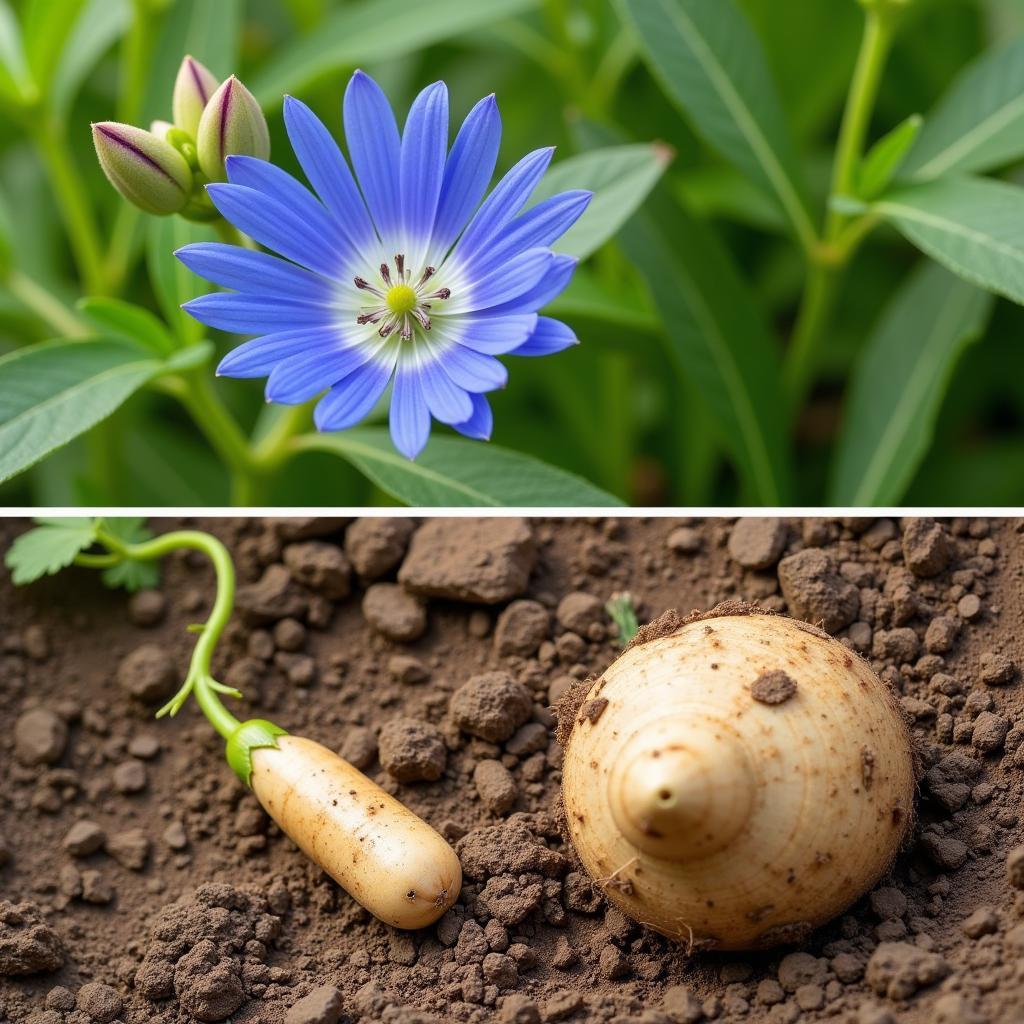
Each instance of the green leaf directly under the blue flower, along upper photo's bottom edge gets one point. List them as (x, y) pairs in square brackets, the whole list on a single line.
[(453, 472)]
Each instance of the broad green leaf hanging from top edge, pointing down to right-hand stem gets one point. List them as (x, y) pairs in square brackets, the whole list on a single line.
[(711, 65)]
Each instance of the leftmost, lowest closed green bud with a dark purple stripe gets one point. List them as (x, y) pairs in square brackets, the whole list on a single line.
[(145, 169)]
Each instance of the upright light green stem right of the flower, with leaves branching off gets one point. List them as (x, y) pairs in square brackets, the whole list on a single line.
[(841, 238)]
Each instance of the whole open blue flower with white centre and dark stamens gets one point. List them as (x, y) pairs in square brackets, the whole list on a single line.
[(399, 275)]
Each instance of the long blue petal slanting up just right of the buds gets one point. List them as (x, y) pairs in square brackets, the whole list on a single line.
[(328, 173)]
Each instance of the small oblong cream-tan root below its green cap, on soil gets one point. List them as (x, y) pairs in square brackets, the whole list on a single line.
[(386, 857)]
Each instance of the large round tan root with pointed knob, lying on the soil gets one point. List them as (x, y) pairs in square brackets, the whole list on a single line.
[(737, 779)]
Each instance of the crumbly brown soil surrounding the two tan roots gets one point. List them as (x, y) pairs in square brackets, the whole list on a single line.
[(141, 882)]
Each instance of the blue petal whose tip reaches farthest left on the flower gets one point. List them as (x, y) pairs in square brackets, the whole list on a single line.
[(245, 271)]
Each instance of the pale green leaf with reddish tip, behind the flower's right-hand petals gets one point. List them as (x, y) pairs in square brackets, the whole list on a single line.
[(620, 177)]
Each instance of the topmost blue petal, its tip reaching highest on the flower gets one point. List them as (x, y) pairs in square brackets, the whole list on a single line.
[(376, 151)]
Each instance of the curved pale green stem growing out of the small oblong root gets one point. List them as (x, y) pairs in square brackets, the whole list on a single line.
[(200, 679)]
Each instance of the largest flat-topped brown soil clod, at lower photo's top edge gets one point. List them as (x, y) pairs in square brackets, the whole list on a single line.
[(482, 562)]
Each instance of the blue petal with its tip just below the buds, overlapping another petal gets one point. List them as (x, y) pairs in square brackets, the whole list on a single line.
[(278, 227)]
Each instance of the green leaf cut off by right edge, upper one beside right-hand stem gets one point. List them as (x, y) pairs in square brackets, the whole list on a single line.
[(979, 124)]
